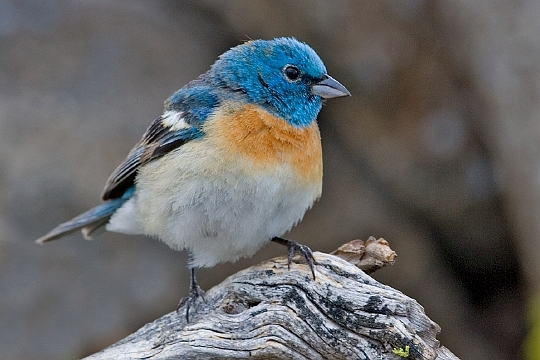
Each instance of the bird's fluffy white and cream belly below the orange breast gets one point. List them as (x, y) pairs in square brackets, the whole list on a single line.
[(218, 212)]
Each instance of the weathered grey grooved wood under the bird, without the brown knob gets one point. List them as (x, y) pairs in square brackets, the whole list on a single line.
[(269, 312)]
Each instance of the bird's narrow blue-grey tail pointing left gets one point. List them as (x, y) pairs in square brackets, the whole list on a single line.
[(89, 222)]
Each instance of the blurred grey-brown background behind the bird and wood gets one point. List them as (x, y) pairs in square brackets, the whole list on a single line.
[(438, 151)]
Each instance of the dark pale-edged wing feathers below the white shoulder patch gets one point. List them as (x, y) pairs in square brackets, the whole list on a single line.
[(158, 140)]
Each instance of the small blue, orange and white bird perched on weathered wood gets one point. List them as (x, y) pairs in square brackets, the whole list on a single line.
[(232, 163)]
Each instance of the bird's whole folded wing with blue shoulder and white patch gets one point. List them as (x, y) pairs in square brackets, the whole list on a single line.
[(181, 122)]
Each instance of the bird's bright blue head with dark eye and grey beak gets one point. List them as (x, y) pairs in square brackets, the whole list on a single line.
[(283, 75)]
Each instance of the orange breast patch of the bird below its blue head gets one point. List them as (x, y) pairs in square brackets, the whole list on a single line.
[(267, 141)]
